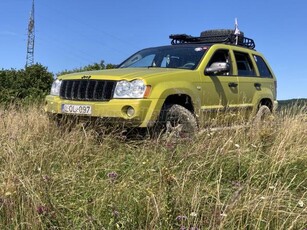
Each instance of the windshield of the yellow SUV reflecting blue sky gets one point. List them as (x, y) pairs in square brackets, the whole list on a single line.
[(180, 57)]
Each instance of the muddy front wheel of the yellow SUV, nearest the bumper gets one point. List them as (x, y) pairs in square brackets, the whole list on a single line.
[(177, 121)]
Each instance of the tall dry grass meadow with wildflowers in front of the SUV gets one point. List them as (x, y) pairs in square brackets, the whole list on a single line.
[(252, 178)]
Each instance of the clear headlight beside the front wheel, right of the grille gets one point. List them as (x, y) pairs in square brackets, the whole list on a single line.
[(130, 89)]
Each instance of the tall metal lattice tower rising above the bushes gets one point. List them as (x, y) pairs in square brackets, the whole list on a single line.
[(31, 38)]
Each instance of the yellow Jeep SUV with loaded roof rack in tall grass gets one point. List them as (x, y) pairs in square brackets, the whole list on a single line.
[(172, 87)]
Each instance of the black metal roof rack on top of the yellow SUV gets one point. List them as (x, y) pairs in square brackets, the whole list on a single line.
[(226, 39)]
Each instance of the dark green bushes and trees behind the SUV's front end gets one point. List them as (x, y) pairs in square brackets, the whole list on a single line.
[(32, 84)]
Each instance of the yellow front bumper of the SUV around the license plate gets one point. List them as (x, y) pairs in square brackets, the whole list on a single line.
[(146, 111)]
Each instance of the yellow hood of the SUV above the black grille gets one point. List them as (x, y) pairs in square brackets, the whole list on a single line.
[(123, 74)]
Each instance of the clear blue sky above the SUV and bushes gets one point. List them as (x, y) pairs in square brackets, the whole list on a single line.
[(71, 34)]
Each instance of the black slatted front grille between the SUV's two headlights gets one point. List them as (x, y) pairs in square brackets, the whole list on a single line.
[(87, 90)]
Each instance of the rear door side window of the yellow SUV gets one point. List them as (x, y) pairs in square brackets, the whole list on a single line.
[(244, 64)]
